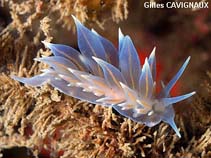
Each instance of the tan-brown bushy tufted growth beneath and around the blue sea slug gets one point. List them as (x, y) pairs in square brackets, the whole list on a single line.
[(46, 122)]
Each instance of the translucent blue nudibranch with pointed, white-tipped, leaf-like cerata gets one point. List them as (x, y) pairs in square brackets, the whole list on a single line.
[(101, 74)]
